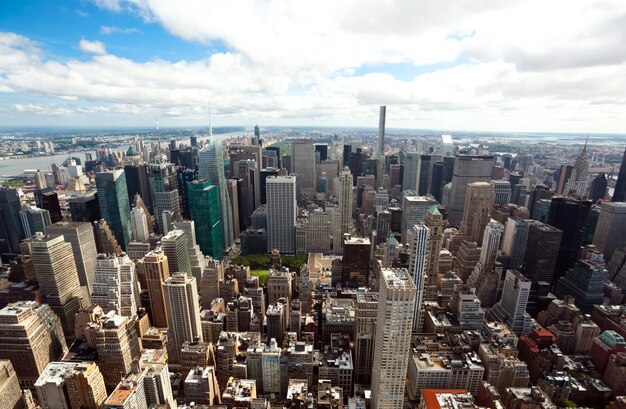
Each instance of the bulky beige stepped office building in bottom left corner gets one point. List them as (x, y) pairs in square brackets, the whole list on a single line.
[(31, 335)]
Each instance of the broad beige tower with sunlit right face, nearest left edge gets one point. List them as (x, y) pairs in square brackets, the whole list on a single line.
[(57, 275)]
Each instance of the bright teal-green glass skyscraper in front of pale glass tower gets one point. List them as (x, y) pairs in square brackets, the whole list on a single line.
[(206, 212)]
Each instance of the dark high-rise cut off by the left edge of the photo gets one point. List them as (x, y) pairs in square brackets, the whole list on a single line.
[(11, 231)]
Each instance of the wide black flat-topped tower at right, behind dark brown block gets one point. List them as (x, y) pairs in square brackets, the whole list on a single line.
[(569, 215)]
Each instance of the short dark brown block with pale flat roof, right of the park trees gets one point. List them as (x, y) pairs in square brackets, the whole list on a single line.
[(356, 255)]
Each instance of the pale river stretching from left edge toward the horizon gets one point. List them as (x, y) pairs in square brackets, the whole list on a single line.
[(15, 167)]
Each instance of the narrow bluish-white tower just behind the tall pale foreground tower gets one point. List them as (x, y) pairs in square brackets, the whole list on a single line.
[(418, 243)]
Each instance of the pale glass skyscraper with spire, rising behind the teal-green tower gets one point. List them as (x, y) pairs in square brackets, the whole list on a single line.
[(211, 168)]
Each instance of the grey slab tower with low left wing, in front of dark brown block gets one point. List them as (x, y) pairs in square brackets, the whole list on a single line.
[(511, 309)]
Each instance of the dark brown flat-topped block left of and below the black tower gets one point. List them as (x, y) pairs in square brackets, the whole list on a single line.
[(542, 248)]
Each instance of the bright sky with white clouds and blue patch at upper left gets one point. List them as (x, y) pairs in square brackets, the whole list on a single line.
[(490, 65)]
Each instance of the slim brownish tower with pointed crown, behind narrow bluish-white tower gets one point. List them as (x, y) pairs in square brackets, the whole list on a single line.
[(434, 222)]
